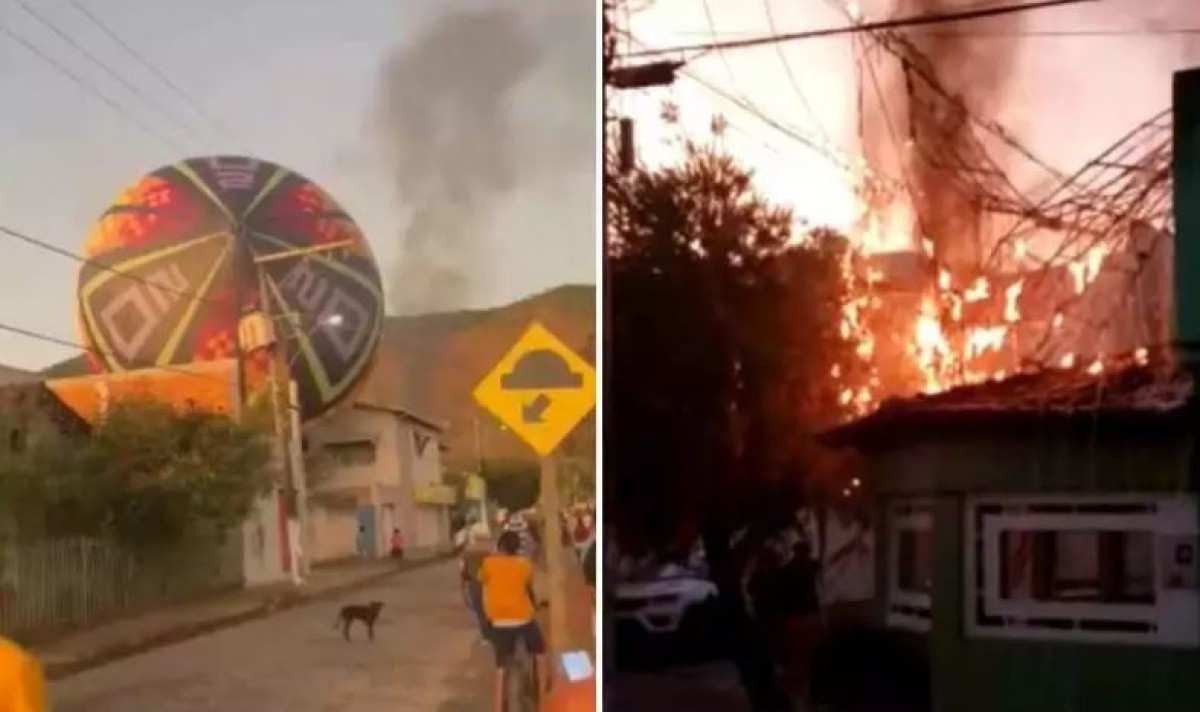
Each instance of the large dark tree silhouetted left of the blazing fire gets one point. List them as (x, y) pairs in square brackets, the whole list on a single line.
[(724, 330)]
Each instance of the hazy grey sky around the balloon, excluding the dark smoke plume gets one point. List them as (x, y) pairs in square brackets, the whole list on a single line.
[(299, 83)]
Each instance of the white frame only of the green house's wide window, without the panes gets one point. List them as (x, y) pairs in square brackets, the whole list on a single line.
[(1174, 619)]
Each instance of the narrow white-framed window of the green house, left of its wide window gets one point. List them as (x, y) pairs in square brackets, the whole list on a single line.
[(911, 565)]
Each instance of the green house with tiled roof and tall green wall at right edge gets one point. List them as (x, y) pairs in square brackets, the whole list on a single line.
[(1039, 536)]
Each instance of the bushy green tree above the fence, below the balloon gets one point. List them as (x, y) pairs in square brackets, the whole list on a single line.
[(145, 477)]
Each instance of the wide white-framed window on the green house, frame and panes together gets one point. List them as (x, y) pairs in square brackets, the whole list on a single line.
[(1083, 569)]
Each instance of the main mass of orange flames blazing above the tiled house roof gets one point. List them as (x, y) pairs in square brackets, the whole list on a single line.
[(935, 328)]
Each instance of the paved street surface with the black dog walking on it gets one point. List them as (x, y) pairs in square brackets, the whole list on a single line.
[(424, 659)]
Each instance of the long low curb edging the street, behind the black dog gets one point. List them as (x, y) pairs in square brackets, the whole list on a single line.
[(269, 607)]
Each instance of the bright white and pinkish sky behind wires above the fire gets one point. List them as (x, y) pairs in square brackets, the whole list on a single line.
[(1069, 97)]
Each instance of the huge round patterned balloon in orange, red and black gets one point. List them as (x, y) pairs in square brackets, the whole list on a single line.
[(201, 252)]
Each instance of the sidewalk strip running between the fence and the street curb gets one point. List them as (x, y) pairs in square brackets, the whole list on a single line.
[(97, 647)]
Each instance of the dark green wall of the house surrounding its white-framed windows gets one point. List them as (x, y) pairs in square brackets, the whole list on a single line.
[(987, 674)]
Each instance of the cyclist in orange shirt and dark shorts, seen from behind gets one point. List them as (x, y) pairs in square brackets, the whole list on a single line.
[(509, 607)]
